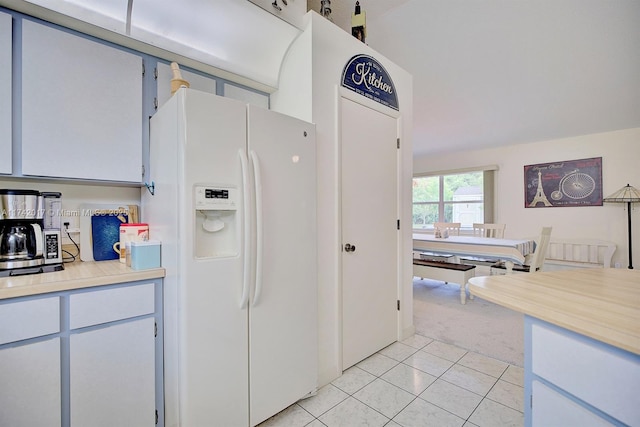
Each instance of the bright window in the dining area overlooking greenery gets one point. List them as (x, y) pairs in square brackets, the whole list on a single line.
[(454, 197)]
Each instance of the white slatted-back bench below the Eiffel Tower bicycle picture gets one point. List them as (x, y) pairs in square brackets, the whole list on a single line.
[(565, 254)]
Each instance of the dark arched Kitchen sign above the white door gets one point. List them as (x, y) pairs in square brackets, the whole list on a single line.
[(367, 77)]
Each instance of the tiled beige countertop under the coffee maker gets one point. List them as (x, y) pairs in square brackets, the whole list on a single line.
[(76, 275)]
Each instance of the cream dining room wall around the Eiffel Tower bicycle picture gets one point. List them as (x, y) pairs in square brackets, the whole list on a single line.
[(620, 152)]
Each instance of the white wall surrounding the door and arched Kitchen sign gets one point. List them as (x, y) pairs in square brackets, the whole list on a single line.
[(308, 89)]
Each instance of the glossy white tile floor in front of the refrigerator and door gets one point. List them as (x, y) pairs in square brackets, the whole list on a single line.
[(418, 382)]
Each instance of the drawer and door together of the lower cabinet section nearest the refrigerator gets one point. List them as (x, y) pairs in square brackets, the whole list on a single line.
[(112, 357)]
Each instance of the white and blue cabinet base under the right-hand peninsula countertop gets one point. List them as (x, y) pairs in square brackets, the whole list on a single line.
[(573, 380)]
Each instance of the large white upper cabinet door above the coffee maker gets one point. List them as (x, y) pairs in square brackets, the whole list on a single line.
[(81, 107)]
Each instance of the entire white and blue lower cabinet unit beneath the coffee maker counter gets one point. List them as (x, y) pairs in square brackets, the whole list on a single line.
[(83, 358)]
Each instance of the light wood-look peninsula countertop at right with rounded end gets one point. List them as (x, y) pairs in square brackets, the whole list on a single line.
[(603, 304)]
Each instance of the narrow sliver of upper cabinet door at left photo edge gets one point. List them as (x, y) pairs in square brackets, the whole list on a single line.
[(5, 93)]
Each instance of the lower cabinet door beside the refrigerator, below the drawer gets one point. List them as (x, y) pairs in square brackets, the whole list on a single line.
[(112, 375)]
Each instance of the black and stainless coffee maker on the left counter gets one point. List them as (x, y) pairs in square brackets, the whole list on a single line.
[(25, 246)]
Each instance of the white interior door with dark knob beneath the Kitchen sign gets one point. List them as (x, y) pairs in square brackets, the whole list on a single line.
[(369, 223)]
